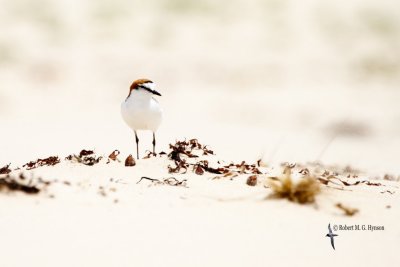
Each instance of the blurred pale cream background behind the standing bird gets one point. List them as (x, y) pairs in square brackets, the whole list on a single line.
[(270, 78)]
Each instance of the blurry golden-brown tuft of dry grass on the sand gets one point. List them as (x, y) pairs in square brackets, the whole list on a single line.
[(302, 191)]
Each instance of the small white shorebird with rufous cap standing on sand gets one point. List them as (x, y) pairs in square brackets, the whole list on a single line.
[(141, 111)]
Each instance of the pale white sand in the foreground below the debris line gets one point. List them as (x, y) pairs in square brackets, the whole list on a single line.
[(209, 222)]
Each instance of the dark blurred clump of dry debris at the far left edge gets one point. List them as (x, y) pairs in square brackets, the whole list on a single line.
[(12, 183)]
